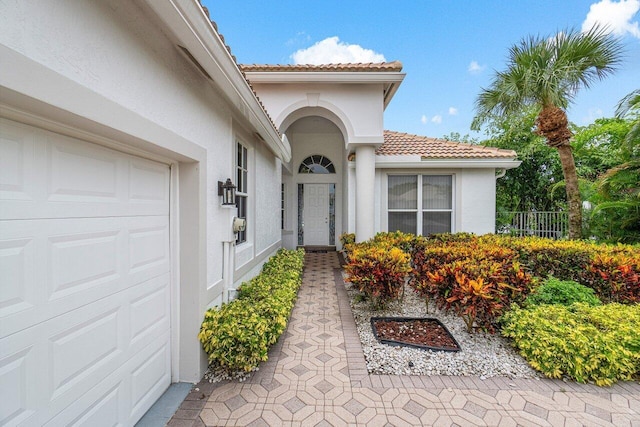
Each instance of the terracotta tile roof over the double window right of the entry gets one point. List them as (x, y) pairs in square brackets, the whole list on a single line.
[(398, 144)]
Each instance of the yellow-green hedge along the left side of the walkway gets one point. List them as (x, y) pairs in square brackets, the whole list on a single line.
[(237, 336)]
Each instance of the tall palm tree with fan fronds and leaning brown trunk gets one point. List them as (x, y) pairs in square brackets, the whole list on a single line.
[(547, 73)]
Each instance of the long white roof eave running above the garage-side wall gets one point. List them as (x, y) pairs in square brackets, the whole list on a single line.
[(186, 20)]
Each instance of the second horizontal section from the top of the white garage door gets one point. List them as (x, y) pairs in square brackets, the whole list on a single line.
[(67, 263)]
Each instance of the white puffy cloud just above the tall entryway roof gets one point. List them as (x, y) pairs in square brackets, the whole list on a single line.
[(332, 51)]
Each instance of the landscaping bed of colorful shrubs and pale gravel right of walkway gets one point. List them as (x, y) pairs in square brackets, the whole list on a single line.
[(490, 284)]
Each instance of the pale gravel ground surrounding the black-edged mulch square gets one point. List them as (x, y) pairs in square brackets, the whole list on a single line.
[(484, 355)]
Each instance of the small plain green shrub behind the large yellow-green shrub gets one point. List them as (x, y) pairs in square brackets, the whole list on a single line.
[(563, 292)]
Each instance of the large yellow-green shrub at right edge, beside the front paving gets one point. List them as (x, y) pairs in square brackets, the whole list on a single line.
[(599, 344)]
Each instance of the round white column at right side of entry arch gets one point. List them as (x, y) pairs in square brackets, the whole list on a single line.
[(365, 194)]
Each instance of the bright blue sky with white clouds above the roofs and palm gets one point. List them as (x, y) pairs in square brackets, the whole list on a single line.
[(449, 49)]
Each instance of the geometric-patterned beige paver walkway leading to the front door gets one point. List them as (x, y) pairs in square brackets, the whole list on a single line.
[(316, 376)]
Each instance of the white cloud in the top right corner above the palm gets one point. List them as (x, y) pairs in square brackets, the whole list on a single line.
[(617, 16)]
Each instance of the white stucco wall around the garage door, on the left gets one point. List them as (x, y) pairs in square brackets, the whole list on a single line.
[(114, 73)]
